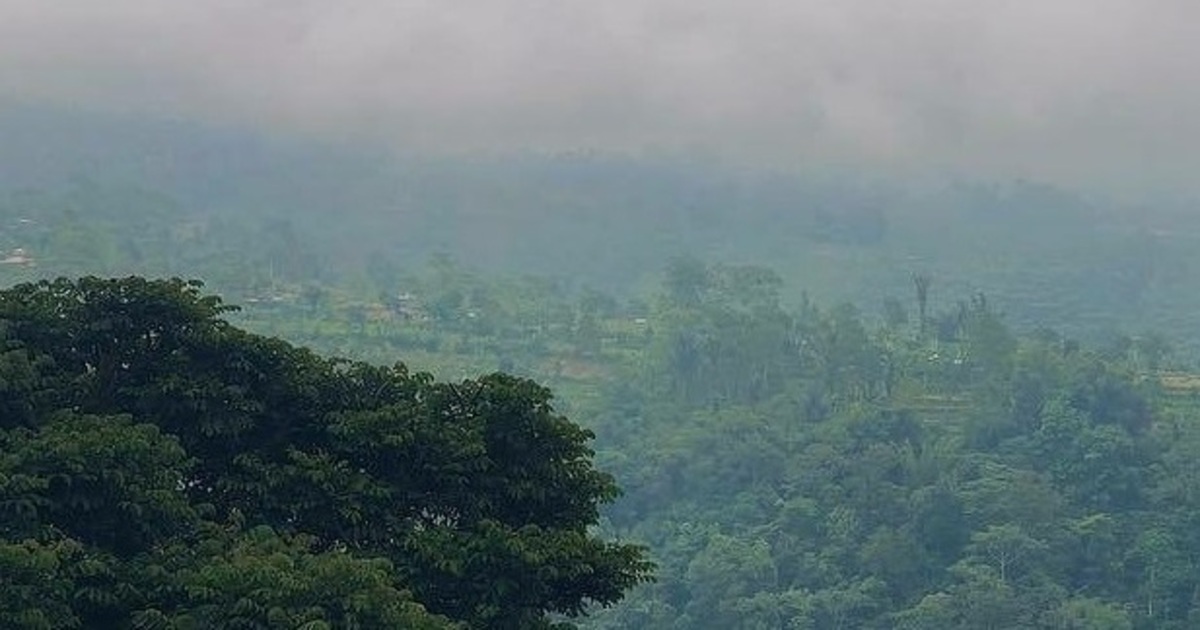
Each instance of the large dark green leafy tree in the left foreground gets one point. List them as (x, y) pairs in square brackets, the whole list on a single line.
[(161, 469)]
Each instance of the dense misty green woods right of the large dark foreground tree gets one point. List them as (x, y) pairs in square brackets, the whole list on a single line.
[(891, 481)]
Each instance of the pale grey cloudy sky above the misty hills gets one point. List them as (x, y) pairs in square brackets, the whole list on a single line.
[(1081, 91)]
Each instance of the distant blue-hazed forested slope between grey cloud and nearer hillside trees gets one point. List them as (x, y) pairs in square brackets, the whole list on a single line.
[(254, 213)]
